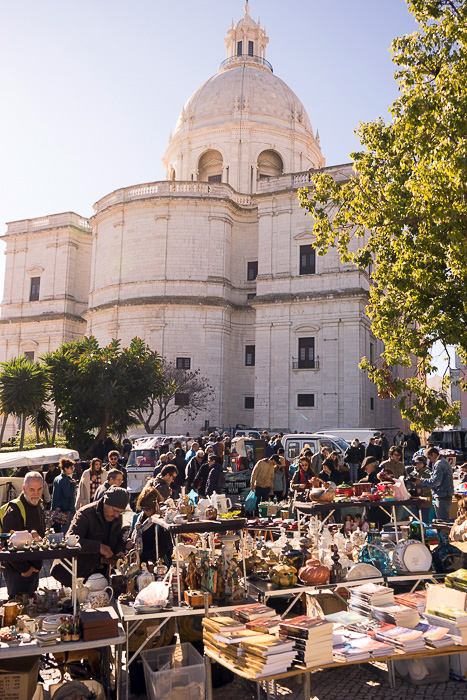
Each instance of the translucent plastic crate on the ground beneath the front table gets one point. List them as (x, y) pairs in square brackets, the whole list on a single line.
[(174, 673)]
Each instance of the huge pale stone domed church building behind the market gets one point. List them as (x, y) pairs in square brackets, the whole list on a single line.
[(214, 266)]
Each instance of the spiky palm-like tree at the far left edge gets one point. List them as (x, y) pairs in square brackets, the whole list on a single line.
[(23, 390)]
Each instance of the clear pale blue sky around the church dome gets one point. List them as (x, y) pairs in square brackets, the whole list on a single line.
[(90, 89)]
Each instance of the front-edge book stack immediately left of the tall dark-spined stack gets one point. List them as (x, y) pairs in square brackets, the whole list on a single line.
[(265, 655)]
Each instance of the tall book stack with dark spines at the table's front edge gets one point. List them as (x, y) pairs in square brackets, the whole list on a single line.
[(312, 640)]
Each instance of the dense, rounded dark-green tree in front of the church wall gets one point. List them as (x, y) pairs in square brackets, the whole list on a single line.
[(98, 389)]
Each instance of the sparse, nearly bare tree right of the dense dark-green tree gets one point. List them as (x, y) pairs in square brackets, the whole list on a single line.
[(182, 390)]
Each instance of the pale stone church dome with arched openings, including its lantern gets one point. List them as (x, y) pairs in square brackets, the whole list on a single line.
[(244, 124)]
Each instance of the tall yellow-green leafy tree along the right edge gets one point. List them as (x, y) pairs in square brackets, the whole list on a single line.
[(403, 216)]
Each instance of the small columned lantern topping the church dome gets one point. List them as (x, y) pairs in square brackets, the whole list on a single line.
[(246, 44)]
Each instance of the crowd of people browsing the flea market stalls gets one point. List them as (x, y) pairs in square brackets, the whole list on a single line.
[(90, 502)]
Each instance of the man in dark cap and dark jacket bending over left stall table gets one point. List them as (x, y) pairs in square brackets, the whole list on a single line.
[(99, 527)]
